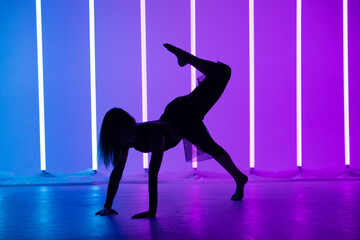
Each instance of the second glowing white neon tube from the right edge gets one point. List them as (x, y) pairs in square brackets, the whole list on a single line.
[(298, 86)]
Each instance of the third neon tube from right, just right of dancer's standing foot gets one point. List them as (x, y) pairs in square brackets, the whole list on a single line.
[(251, 83)]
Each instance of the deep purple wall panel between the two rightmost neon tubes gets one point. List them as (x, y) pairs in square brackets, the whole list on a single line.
[(322, 85)]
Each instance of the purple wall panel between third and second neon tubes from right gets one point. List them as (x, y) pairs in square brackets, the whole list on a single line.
[(275, 84)]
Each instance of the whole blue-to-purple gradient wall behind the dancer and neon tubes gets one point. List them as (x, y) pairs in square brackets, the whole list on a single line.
[(222, 34)]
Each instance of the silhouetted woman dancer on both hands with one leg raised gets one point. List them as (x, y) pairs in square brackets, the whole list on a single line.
[(182, 119)]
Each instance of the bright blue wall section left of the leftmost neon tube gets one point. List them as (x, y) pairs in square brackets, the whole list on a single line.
[(19, 116)]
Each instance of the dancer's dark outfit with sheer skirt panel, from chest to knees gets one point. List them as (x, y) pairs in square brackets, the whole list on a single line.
[(183, 118)]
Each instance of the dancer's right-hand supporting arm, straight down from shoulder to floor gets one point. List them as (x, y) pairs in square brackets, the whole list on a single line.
[(157, 152)]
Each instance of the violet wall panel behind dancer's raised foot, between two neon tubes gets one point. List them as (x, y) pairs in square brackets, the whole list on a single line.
[(167, 22)]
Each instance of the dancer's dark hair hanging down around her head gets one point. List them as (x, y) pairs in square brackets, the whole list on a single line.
[(114, 119)]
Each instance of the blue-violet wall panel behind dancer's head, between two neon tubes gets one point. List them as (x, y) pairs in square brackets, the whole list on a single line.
[(118, 64)]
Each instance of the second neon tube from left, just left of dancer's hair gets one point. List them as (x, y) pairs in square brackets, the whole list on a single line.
[(93, 85)]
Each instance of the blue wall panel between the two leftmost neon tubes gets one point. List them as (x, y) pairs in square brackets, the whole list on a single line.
[(67, 85)]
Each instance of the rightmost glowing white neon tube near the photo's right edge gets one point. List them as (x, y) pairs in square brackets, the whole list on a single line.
[(346, 83)]
